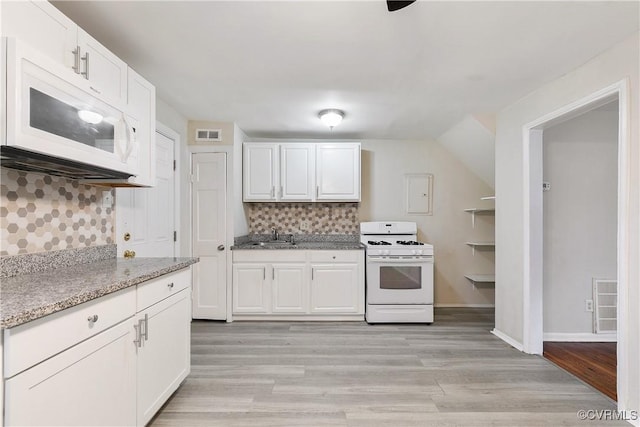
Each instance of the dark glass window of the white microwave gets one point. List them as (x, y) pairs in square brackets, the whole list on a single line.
[(56, 117)]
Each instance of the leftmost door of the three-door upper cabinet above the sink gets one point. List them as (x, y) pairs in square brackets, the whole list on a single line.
[(259, 172)]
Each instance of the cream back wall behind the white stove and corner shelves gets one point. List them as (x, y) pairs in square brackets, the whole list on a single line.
[(455, 187)]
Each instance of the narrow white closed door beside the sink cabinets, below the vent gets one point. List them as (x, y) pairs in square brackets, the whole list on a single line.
[(209, 199)]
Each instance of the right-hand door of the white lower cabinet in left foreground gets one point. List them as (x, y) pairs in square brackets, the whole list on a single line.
[(163, 352)]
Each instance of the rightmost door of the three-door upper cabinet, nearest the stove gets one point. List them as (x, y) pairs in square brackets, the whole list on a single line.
[(338, 172)]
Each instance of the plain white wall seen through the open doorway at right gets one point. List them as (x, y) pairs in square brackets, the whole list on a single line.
[(580, 216)]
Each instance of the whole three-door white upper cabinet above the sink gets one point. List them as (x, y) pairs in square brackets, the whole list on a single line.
[(301, 172)]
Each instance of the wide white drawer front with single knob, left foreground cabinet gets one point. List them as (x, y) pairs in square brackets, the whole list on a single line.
[(30, 343)]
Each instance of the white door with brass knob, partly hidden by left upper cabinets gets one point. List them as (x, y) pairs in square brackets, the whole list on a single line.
[(147, 214)]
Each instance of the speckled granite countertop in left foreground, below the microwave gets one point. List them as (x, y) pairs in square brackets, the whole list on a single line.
[(28, 297)]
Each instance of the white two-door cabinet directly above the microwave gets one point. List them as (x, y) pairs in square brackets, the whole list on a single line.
[(47, 29)]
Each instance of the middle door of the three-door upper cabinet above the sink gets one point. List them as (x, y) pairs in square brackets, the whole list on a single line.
[(296, 172)]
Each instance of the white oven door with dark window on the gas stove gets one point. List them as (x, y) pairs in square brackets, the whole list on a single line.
[(399, 280)]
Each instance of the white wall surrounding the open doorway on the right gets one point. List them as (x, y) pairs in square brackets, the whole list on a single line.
[(620, 62)]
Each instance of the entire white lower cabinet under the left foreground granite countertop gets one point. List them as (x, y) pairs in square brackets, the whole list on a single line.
[(113, 361)]
